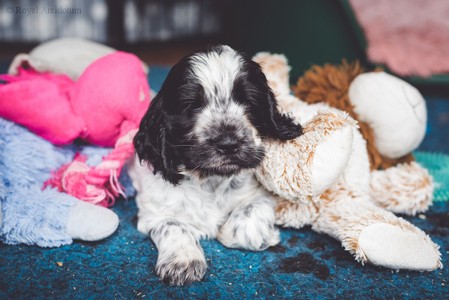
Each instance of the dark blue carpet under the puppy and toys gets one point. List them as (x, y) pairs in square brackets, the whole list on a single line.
[(304, 265)]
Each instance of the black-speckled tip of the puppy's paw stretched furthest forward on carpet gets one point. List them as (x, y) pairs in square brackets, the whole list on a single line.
[(176, 271)]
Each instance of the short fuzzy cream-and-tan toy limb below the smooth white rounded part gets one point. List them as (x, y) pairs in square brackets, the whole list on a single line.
[(406, 188)]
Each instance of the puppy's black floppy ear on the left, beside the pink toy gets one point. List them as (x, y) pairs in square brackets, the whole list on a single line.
[(151, 142)]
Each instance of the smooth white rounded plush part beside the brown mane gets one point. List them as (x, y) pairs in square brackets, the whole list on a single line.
[(395, 111)]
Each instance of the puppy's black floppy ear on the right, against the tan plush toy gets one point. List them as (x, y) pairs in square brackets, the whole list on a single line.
[(265, 114)]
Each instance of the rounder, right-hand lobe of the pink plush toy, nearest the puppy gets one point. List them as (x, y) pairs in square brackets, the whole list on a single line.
[(114, 89)]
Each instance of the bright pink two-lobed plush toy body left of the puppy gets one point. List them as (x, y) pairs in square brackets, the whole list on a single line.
[(112, 90)]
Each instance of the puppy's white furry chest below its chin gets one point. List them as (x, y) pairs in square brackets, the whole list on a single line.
[(205, 204)]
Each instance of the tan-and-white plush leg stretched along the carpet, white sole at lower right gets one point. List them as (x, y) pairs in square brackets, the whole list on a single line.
[(373, 234)]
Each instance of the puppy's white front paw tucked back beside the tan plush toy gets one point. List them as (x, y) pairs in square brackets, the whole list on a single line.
[(249, 231)]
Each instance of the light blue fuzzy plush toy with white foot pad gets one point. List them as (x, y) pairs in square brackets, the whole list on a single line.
[(34, 216)]
